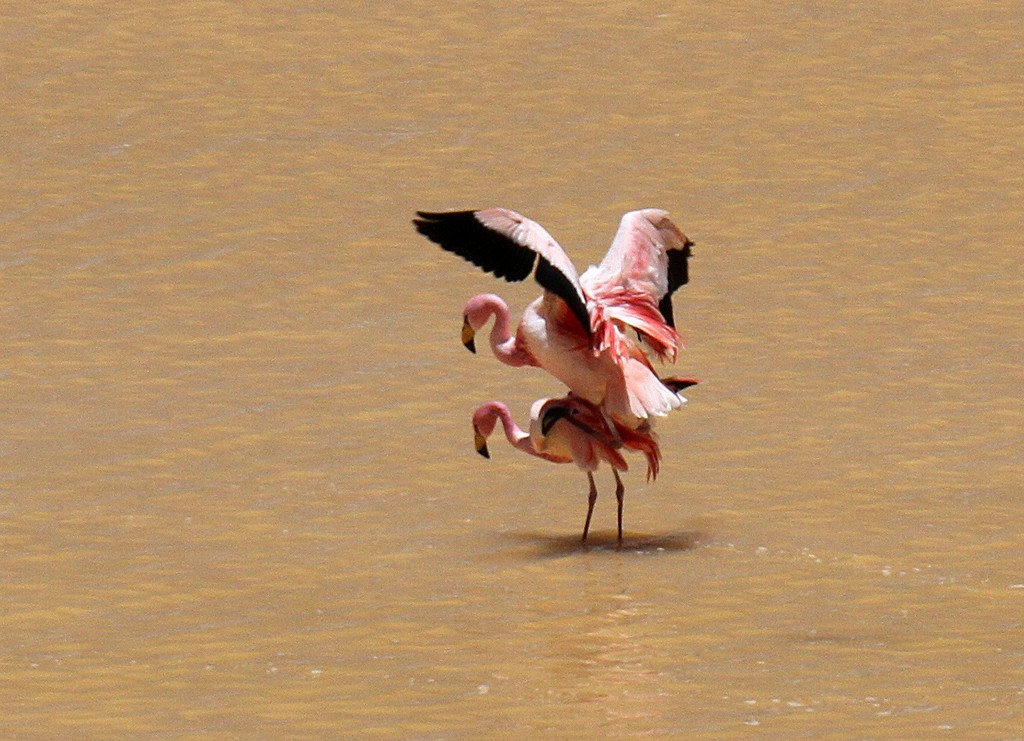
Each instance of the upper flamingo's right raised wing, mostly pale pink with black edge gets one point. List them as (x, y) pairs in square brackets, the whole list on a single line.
[(651, 254)]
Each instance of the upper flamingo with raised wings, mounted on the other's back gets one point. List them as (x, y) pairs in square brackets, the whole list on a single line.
[(577, 329)]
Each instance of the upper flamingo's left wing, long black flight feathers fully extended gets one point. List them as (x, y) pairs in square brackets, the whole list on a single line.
[(508, 245)]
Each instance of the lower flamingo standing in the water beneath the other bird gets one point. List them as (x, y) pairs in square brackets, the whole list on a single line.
[(573, 430)]
